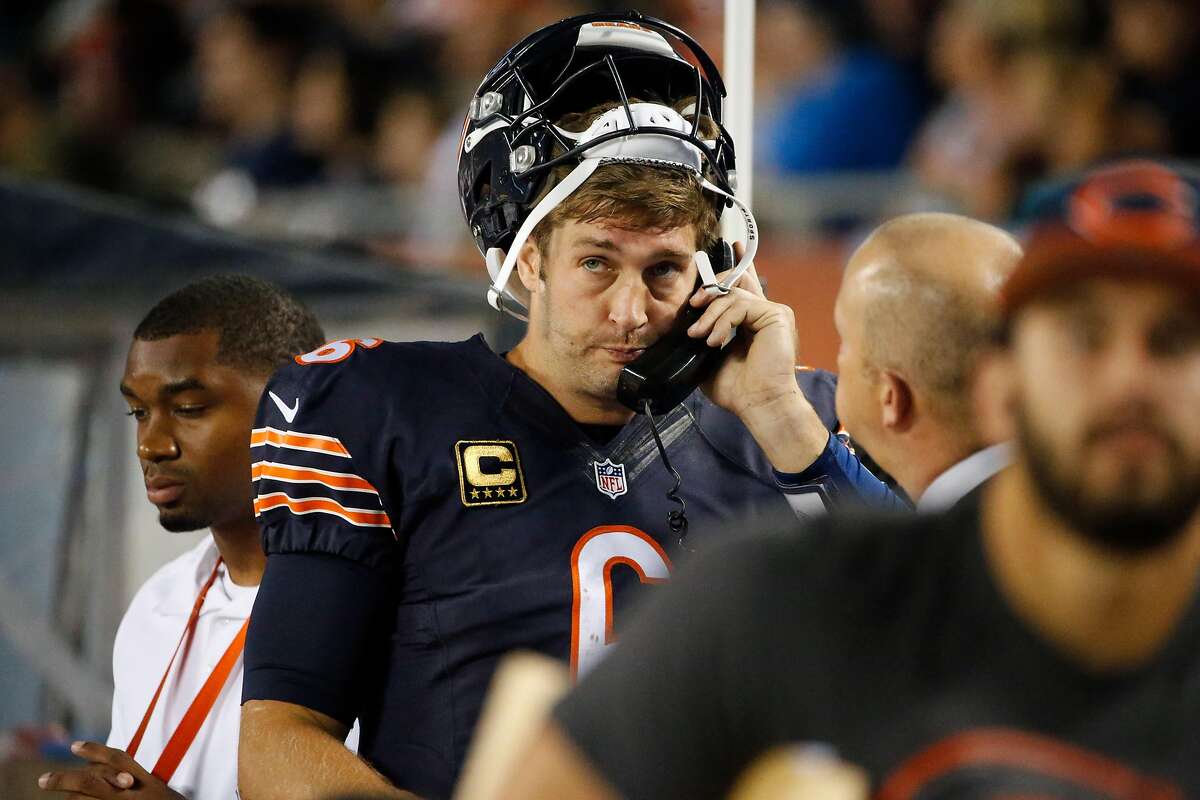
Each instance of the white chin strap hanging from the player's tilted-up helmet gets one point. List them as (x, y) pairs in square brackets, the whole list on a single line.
[(645, 148)]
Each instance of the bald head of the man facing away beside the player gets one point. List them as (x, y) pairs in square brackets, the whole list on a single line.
[(920, 302)]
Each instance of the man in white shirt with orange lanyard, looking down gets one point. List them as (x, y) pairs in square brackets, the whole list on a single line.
[(194, 378)]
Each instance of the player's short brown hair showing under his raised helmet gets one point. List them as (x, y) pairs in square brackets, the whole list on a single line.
[(637, 197)]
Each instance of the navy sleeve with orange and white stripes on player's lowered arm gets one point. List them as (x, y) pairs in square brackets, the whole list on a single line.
[(323, 507)]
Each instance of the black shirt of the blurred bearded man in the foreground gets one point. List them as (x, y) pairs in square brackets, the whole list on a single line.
[(890, 641)]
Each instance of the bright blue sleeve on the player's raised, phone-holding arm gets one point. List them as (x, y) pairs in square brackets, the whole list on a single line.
[(839, 479)]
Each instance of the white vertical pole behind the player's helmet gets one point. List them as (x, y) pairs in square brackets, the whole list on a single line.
[(739, 74)]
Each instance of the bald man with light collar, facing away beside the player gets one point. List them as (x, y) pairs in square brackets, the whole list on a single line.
[(919, 304)]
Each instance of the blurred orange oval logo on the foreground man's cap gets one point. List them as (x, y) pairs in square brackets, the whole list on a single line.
[(1162, 214)]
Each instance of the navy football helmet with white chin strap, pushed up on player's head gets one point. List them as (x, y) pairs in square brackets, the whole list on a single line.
[(512, 141)]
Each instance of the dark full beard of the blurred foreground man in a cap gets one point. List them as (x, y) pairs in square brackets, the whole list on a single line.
[(1124, 524)]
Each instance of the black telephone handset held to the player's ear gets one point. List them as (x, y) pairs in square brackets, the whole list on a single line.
[(674, 366)]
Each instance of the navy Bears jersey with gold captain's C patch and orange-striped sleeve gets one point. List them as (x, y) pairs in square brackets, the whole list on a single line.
[(479, 519)]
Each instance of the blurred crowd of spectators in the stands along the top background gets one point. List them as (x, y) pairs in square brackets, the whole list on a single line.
[(339, 119)]
